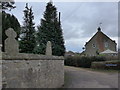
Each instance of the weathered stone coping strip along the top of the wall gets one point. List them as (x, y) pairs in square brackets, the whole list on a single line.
[(23, 56)]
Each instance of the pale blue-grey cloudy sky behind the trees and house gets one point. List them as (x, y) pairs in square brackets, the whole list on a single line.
[(79, 20)]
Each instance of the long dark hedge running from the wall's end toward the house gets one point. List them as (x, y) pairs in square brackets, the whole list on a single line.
[(82, 61)]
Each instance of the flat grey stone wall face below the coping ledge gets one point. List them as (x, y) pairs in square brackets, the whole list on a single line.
[(33, 73)]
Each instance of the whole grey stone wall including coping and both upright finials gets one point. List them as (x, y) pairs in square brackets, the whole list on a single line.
[(20, 70)]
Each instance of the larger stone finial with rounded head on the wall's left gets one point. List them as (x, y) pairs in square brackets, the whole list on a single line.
[(11, 45)]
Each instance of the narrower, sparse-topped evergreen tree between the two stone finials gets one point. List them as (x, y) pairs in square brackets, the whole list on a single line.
[(27, 40)]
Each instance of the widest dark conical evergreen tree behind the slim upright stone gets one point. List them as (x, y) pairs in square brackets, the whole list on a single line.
[(50, 30)]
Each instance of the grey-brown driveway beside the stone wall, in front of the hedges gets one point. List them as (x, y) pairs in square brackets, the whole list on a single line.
[(82, 78)]
